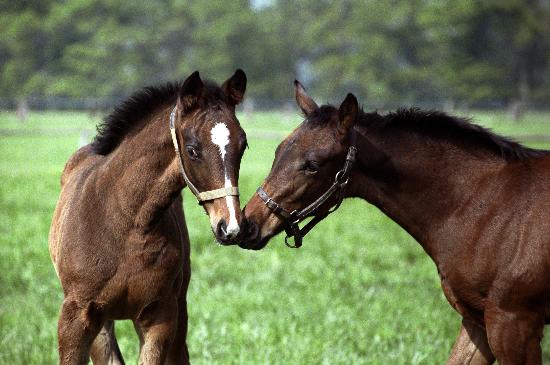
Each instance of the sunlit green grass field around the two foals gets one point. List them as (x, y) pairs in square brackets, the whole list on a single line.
[(360, 290)]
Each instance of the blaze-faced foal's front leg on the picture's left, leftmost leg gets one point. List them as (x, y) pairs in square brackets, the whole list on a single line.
[(78, 325)]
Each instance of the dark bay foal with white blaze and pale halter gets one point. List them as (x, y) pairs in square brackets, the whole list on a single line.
[(118, 238)]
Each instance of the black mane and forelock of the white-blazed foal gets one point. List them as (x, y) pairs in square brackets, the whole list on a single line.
[(129, 113)]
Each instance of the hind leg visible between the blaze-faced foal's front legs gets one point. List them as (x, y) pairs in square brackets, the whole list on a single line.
[(105, 350)]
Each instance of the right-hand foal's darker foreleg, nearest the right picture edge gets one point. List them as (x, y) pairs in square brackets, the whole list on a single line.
[(515, 337)]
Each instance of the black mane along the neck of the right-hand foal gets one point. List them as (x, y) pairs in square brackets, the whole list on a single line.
[(441, 125)]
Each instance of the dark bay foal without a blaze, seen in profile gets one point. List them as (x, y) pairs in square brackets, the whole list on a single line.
[(479, 205)]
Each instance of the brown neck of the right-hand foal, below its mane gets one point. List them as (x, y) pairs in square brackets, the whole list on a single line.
[(420, 183)]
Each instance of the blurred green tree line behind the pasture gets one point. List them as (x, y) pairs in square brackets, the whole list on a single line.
[(455, 51)]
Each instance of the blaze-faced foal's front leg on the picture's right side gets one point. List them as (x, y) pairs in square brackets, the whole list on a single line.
[(156, 326)]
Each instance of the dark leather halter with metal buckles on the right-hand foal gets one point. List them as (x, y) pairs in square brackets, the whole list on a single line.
[(292, 219)]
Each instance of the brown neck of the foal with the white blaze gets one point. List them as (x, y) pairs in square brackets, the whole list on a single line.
[(143, 172)]
